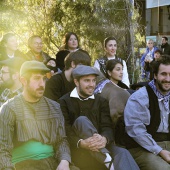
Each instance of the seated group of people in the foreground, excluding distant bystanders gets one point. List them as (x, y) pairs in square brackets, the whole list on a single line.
[(61, 113)]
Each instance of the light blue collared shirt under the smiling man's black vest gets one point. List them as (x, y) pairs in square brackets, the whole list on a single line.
[(137, 117)]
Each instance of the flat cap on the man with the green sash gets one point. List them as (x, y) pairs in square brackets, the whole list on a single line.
[(31, 66)]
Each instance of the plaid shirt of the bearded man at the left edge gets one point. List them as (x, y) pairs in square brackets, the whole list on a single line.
[(8, 94)]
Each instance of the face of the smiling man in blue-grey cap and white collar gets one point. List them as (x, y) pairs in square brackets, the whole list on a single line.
[(86, 85)]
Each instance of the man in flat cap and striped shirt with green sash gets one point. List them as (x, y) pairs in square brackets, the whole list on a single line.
[(32, 134)]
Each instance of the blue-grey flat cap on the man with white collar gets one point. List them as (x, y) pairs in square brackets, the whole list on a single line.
[(83, 70)]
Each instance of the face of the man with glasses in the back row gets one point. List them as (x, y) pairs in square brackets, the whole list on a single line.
[(36, 45)]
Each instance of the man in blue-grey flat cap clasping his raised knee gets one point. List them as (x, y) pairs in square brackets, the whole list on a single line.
[(89, 126)]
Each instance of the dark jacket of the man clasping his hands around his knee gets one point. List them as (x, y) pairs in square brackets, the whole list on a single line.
[(96, 110)]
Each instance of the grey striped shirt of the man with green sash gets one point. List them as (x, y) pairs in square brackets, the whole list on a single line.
[(21, 121)]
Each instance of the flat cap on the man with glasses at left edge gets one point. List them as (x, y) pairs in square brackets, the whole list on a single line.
[(14, 63)]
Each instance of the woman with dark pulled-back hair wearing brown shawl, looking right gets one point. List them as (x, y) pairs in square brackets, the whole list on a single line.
[(110, 89)]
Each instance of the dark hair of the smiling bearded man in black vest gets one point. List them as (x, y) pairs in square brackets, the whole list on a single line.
[(165, 60)]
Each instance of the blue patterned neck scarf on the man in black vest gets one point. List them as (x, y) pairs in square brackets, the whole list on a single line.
[(161, 97)]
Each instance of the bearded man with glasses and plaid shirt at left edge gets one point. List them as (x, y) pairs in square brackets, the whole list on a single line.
[(9, 78)]
